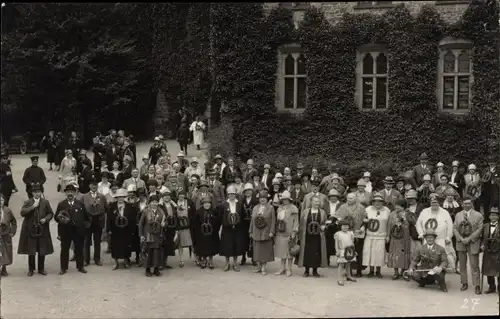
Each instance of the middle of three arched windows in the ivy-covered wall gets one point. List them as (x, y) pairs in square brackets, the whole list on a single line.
[(372, 79)]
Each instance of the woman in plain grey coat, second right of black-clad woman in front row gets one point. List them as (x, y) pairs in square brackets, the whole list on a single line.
[(262, 229)]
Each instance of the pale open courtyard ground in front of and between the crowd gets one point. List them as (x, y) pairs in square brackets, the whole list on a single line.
[(192, 292)]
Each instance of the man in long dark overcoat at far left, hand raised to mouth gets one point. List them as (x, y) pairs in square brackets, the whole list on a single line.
[(36, 210)]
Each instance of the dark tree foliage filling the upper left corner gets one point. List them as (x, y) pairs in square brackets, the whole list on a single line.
[(81, 67)]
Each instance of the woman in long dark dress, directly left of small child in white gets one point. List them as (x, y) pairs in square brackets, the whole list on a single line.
[(312, 238)]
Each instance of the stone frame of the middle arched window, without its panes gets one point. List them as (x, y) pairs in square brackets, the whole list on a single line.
[(375, 50)]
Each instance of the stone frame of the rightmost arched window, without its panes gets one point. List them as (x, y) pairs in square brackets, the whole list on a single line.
[(456, 47)]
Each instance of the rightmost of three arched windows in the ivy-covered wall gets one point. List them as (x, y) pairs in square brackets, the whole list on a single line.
[(455, 76)]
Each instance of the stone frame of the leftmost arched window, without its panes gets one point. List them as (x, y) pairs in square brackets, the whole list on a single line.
[(283, 51)]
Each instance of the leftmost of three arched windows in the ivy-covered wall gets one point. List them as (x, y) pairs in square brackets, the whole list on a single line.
[(292, 89)]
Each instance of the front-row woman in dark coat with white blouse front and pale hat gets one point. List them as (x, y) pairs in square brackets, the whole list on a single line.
[(232, 233)]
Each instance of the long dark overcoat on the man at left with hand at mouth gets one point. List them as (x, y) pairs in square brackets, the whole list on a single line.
[(27, 244)]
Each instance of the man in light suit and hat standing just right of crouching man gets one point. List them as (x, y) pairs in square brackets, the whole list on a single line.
[(468, 228)]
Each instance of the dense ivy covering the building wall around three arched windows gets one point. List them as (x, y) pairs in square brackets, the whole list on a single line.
[(332, 128)]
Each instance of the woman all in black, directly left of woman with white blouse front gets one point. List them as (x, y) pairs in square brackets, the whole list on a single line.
[(206, 233)]
